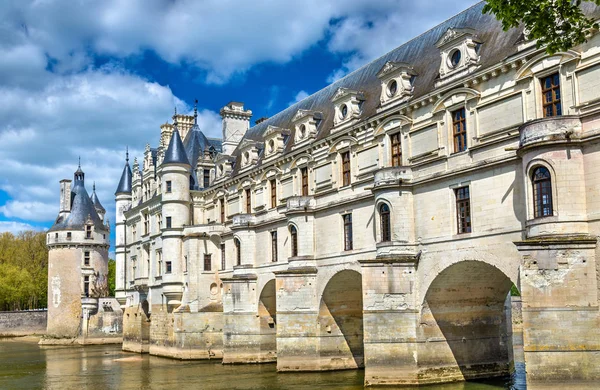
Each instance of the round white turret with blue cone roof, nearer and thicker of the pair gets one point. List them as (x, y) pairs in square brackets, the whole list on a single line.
[(175, 180)]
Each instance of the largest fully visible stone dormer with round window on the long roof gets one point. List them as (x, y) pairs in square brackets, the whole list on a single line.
[(459, 49)]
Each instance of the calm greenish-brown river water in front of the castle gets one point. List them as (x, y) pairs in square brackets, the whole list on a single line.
[(25, 365)]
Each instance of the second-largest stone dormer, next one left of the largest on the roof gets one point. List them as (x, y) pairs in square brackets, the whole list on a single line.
[(396, 82)]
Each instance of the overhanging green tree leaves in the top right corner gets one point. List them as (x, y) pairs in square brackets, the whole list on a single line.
[(557, 24)]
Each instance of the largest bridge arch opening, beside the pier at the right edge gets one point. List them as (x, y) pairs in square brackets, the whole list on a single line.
[(465, 319)]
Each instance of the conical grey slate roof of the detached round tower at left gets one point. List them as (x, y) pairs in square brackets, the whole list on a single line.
[(82, 209)]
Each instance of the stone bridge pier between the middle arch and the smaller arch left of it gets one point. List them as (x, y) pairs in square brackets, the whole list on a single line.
[(297, 320)]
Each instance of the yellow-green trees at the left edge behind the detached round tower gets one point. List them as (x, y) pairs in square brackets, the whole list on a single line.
[(23, 271)]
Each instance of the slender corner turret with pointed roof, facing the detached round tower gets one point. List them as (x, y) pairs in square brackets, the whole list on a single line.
[(123, 203)]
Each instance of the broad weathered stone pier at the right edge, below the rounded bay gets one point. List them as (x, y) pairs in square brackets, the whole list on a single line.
[(561, 336)]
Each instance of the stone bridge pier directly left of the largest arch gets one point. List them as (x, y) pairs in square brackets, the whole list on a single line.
[(390, 320)]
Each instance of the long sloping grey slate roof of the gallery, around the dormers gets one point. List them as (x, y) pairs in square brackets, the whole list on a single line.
[(421, 53)]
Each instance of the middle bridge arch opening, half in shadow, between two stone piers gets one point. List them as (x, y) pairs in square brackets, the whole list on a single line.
[(341, 322)]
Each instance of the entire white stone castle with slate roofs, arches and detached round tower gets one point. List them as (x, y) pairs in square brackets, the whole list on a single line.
[(380, 223)]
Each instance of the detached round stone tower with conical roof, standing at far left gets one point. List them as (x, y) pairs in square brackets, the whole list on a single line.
[(78, 245)]
